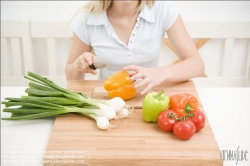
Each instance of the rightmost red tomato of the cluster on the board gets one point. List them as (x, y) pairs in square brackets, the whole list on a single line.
[(198, 119)]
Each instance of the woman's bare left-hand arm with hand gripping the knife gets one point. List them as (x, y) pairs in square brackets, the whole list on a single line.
[(79, 57)]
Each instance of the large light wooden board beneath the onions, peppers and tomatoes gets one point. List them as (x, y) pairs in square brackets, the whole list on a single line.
[(76, 140)]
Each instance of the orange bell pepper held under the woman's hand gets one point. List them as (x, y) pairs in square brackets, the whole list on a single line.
[(120, 85)]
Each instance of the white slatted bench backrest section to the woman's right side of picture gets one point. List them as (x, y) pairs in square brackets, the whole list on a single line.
[(230, 33)]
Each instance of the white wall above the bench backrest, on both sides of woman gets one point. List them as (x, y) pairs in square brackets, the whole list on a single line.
[(63, 10)]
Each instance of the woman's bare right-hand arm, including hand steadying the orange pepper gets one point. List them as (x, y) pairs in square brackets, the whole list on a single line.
[(191, 65)]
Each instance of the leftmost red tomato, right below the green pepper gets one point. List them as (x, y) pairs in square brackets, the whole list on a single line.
[(165, 123)]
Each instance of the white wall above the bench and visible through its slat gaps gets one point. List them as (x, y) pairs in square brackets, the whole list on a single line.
[(190, 10)]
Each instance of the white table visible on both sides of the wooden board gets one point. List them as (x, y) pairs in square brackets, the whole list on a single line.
[(227, 109)]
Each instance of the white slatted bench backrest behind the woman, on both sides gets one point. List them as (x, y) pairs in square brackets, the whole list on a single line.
[(19, 41)]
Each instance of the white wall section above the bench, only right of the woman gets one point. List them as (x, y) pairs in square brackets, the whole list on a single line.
[(214, 10)]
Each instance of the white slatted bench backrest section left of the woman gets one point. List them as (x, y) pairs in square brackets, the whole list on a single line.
[(18, 50)]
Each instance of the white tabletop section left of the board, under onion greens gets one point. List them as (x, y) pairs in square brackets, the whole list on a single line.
[(22, 140)]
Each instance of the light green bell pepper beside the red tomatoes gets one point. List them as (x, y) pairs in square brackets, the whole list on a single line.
[(153, 104)]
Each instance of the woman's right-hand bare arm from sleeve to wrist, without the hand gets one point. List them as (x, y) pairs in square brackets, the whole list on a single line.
[(191, 65)]
